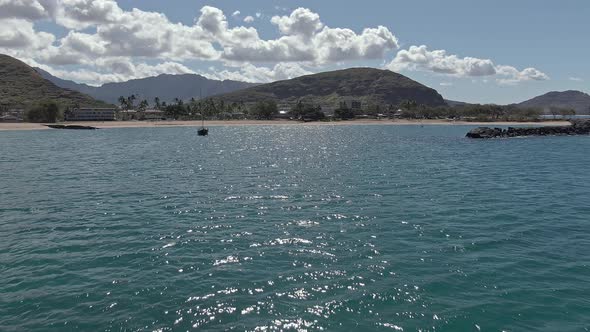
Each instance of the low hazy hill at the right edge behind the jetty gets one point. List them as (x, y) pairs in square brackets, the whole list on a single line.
[(576, 100)]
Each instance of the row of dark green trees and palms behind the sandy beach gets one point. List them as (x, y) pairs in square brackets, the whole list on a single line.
[(268, 109)]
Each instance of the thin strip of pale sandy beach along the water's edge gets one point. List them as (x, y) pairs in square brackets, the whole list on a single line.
[(216, 123)]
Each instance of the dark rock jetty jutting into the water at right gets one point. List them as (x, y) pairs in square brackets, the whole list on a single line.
[(578, 127)]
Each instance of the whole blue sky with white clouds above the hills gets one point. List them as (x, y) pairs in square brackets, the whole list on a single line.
[(506, 51)]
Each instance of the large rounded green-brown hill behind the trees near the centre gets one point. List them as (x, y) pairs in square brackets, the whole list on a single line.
[(368, 85)]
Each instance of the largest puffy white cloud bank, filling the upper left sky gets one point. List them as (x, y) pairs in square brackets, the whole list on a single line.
[(100, 29)]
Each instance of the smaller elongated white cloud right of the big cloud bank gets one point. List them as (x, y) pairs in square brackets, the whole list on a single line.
[(439, 61)]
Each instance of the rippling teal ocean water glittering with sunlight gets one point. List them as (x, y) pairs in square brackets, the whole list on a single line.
[(268, 228)]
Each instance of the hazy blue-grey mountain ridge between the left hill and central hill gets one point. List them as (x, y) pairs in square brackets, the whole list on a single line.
[(166, 87)]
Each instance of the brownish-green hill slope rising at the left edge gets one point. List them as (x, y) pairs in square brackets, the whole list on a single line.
[(21, 85)]
